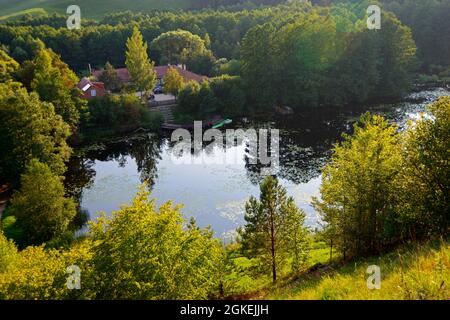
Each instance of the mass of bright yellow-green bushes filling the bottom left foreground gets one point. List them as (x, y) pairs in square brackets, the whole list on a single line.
[(140, 252)]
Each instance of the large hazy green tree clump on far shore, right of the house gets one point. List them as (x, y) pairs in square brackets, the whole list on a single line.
[(320, 58)]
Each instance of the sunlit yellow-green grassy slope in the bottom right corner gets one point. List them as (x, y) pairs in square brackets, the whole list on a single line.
[(412, 272)]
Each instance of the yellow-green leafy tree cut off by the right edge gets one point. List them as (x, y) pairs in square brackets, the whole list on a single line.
[(424, 189)]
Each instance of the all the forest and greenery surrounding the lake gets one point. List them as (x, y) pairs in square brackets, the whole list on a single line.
[(382, 189)]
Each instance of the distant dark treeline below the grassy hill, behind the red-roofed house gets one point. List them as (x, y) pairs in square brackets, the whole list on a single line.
[(104, 42)]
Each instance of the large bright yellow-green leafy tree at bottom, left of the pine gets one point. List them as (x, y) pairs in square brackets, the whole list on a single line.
[(146, 253)]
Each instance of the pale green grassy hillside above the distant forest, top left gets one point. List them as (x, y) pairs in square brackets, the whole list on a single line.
[(92, 9)]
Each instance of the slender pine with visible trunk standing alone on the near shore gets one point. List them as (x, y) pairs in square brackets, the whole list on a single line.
[(274, 229)]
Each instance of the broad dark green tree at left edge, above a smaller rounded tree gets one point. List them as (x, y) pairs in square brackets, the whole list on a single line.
[(30, 129)]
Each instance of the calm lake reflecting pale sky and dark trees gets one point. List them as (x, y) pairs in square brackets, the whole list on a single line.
[(105, 176)]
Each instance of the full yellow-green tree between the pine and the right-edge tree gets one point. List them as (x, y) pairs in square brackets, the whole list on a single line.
[(357, 193)]
